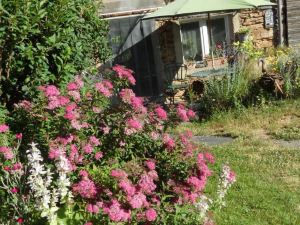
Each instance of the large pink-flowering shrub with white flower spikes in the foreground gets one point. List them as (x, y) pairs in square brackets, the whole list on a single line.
[(96, 155)]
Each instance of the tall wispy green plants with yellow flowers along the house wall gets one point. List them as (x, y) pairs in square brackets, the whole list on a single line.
[(240, 84)]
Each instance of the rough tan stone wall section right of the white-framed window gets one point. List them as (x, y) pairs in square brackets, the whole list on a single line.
[(254, 19)]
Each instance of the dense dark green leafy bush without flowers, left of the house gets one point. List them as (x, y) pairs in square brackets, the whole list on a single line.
[(47, 42)]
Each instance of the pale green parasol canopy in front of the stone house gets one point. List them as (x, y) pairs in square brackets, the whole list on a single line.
[(189, 7)]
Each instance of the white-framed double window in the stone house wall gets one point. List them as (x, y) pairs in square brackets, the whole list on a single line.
[(195, 39)]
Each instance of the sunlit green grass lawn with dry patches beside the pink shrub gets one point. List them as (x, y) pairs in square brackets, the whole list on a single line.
[(268, 187)]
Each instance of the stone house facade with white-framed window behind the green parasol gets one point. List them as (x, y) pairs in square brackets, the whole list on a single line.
[(153, 48)]
